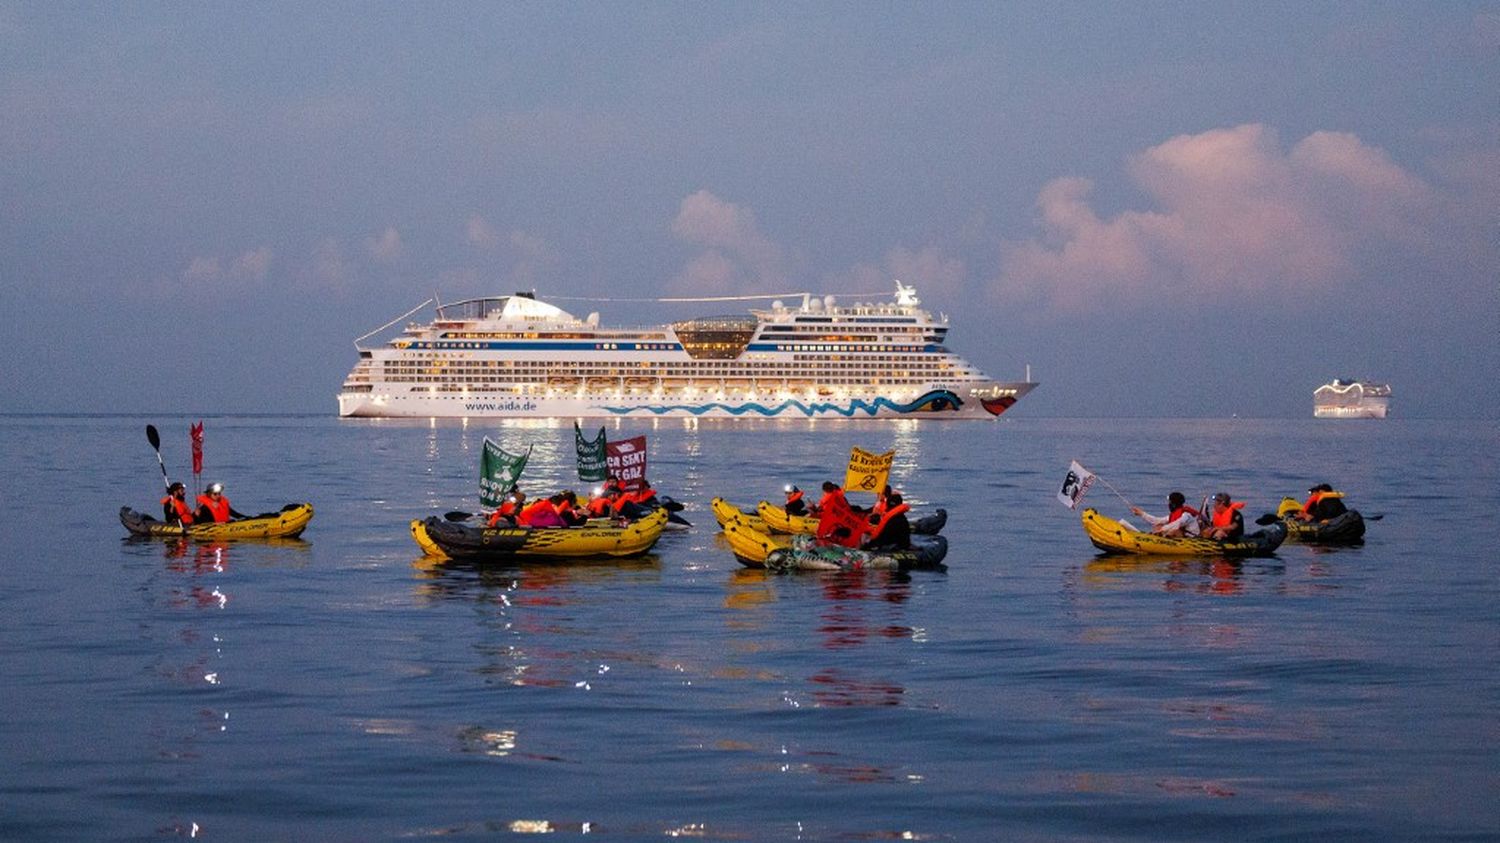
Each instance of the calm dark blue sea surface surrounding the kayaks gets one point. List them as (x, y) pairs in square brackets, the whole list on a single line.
[(340, 688)]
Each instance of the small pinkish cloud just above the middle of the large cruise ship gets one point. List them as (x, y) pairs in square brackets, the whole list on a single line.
[(737, 254)]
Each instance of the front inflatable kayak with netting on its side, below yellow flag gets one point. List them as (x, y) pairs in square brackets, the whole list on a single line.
[(758, 550)]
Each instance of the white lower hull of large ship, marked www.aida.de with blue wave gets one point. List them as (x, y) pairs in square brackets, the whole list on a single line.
[(937, 403)]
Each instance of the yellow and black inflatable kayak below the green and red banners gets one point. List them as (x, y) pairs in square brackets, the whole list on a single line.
[(439, 538)]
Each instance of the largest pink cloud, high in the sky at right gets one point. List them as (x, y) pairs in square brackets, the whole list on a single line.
[(1234, 214)]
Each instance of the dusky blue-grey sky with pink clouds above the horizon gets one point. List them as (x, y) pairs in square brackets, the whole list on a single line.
[(1165, 209)]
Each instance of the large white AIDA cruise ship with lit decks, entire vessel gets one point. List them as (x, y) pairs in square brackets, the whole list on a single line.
[(518, 356)]
